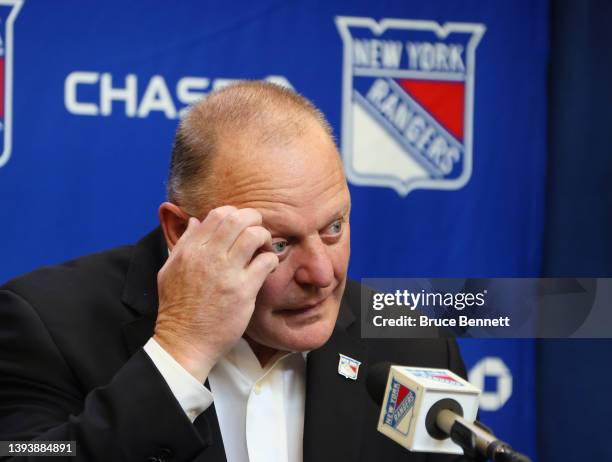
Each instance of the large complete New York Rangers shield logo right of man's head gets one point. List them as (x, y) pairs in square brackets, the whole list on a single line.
[(407, 102)]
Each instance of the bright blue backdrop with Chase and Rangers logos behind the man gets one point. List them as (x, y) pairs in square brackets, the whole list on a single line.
[(443, 130)]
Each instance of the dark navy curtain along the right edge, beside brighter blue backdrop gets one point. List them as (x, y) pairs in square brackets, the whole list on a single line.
[(573, 375)]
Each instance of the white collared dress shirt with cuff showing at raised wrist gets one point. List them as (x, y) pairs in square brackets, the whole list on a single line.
[(260, 410)]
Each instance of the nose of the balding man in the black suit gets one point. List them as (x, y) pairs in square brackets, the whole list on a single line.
[(314, 265)]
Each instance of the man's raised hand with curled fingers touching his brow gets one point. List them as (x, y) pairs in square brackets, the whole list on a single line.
[(208, 285)]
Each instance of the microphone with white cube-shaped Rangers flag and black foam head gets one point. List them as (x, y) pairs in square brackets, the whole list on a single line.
[(433, 410)]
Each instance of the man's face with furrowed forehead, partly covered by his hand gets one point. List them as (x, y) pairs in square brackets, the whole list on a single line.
[(300, 190)]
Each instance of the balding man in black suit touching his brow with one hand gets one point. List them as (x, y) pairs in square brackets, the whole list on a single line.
[(244, 289)]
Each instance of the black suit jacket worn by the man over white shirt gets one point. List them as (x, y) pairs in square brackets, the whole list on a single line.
[(72, 367)]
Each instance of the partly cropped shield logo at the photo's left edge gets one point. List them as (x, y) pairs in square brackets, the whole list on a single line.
[(8, 13)]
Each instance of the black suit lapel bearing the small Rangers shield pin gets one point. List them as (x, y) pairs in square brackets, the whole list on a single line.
[(334, 404)]
